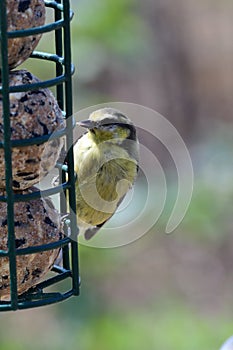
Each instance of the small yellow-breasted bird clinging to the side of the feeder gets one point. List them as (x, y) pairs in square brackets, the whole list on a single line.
[(106, 162)]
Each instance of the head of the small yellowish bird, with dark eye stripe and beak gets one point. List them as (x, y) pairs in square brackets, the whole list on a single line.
[(109, 124)]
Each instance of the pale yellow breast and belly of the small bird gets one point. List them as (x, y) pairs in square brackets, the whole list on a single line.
[(105, 173)]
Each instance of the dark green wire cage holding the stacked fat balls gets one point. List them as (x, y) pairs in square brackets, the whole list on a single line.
[(37, 295)]
